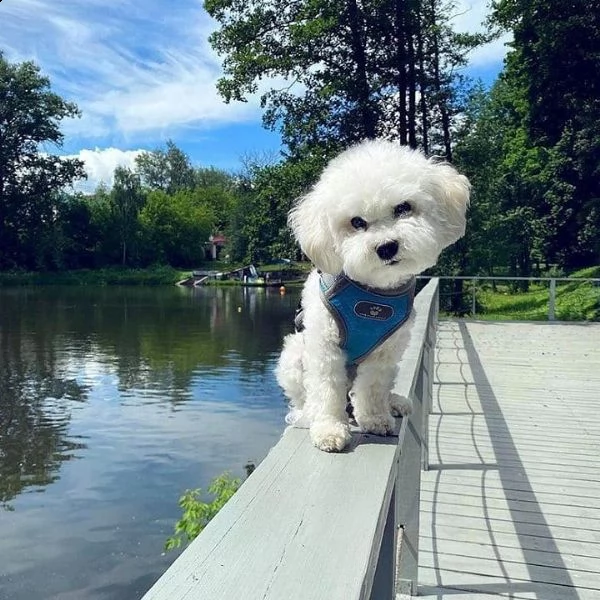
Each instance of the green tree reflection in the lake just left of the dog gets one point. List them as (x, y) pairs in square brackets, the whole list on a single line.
[(162, 337)]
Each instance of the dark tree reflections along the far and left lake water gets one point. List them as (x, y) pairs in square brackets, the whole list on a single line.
[(157, 339)]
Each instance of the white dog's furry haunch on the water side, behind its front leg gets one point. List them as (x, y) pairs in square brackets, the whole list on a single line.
[(290, 375)]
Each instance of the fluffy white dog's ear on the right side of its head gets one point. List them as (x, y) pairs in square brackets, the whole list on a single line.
[(453, 191)]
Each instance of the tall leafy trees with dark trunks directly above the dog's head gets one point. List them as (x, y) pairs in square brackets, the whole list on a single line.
[(352, 68)]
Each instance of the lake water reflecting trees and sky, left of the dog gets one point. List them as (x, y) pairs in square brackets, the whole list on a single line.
[(113, 401)]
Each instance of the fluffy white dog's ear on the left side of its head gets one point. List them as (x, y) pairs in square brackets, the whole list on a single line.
[(311, 228)]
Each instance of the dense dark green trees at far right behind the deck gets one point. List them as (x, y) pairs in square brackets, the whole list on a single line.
[(532, 155)]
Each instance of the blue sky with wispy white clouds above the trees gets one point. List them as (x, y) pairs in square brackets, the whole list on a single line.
[(144, 72)]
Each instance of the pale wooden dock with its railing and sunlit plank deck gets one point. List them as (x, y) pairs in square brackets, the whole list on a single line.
[(506, 427)]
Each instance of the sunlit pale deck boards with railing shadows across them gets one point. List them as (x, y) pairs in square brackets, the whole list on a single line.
[(511, 503)]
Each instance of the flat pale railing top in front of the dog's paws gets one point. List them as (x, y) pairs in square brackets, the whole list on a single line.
[(267, 542)]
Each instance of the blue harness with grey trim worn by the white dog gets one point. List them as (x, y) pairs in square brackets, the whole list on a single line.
[(365, 317)]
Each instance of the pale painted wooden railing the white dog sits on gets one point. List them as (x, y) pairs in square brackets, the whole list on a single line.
[(310, 525)]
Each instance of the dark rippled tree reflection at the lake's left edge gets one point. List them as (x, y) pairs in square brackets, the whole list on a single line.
[(35, 401)]
